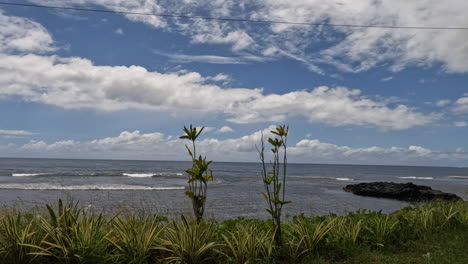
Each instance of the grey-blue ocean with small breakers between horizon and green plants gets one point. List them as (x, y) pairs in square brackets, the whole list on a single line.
[(116, 186)]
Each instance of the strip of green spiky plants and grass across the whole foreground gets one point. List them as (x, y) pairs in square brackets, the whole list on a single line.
[(429, 233)]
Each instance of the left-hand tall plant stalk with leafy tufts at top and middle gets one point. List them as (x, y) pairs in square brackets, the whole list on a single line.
[(199, 174)]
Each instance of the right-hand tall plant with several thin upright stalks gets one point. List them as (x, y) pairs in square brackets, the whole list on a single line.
[(275, 186)]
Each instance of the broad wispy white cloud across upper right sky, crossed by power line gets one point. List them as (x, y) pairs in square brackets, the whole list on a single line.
[(348, 49)]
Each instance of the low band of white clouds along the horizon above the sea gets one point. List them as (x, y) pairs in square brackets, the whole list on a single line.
[(133, 145)]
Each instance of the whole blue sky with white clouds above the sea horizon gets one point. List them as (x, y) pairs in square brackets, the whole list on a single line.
[(79, 84)]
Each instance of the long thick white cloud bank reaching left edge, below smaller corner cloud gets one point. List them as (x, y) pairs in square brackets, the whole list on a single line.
[(75, 83)]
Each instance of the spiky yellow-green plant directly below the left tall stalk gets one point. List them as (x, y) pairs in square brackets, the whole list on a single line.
[(189, 243)]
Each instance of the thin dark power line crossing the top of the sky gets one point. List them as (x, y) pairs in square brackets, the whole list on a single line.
[(228, 19)]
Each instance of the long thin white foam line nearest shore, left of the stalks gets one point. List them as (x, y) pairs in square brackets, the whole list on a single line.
[(102, 187)]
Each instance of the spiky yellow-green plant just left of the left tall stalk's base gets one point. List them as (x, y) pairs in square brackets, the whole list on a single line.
[(135, 239)]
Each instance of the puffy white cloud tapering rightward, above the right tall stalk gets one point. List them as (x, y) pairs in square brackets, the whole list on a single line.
[(334, 106)]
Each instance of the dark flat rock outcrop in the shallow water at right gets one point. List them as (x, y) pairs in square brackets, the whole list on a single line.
[(400, 191)]
